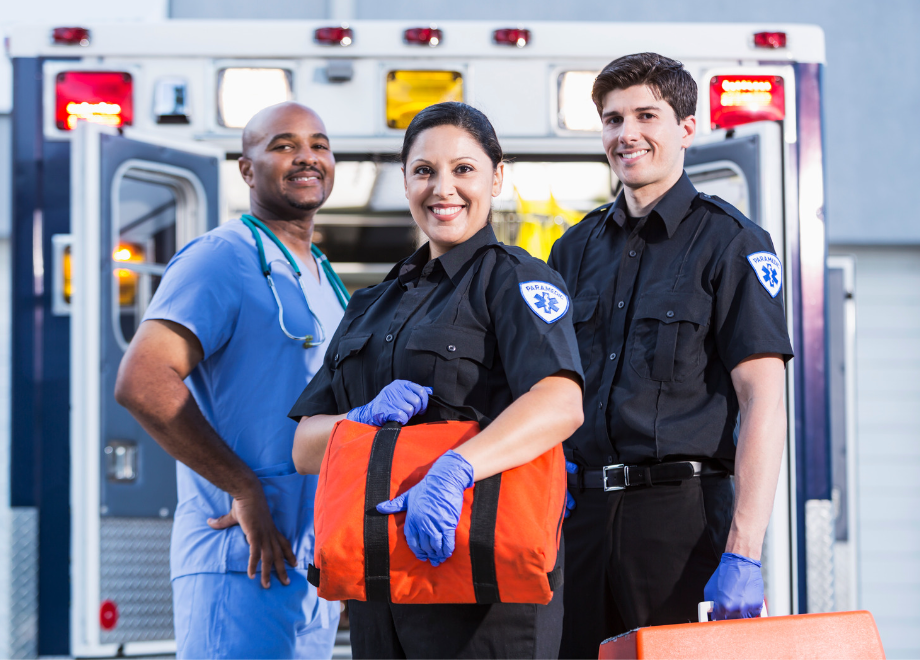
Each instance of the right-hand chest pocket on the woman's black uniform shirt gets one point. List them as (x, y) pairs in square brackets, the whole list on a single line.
[(452, 360)]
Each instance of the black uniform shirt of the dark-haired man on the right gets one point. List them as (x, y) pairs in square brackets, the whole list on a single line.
[(663, 313)]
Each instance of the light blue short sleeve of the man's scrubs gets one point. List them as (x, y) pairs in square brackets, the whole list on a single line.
[(201, 290)]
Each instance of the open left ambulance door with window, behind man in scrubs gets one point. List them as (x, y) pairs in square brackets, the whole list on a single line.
[(135, 202)]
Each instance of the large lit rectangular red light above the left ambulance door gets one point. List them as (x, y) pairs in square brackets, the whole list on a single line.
[(100, 97)]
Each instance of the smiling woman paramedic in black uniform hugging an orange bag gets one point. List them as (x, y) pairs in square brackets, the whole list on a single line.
[(480, 324)]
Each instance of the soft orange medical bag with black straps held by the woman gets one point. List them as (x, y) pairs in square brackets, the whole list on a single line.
[(506, 541)]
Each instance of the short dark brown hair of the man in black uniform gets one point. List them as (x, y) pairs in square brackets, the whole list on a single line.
[(667, 78)]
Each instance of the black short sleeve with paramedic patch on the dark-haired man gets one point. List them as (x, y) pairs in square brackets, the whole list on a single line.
[(749, 318)]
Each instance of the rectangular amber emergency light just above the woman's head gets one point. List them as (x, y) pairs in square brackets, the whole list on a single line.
[(410, 92)]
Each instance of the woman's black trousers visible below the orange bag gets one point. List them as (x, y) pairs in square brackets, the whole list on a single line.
[(502, 630)]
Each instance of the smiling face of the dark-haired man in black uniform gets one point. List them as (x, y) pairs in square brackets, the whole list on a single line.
[(644, 140)]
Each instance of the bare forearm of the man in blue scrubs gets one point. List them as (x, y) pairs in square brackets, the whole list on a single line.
[(165, 408)]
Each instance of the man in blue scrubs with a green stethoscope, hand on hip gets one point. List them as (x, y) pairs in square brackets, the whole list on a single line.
[(211, 375)]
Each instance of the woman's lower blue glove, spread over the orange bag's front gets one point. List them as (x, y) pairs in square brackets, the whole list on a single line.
[(433, 507)]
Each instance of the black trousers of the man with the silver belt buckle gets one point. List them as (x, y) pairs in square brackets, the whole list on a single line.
[(640, 557)]
